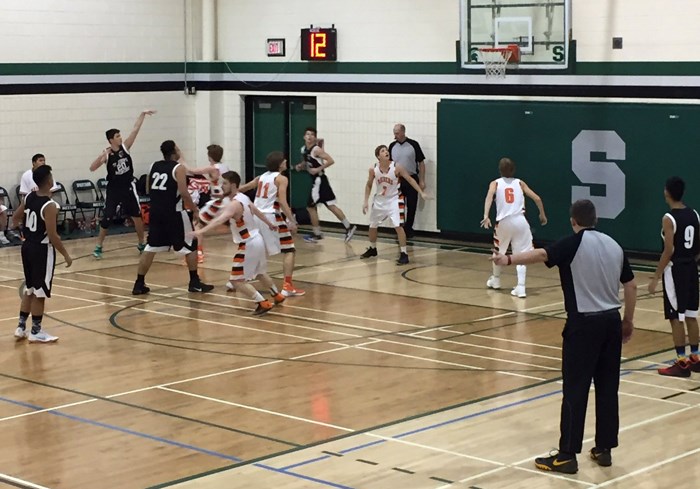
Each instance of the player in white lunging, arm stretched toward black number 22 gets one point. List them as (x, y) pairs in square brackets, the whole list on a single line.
[(249, 262)]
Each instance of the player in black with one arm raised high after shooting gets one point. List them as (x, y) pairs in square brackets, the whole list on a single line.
[(121, 187)]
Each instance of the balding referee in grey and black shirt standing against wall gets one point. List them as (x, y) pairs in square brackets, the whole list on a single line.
[(406, 152)]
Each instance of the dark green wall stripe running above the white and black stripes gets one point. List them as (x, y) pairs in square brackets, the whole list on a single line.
[(359, 68)]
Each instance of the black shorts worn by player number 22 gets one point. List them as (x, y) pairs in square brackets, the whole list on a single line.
[(171, 231)]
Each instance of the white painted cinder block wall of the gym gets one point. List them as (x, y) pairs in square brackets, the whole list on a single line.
[(69, 128)]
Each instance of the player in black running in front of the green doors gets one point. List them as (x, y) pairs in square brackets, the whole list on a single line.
[(316, 161)]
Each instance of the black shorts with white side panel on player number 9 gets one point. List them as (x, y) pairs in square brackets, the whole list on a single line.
[(680, 283)]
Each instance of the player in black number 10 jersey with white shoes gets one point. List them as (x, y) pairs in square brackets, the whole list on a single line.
[(39, 214)]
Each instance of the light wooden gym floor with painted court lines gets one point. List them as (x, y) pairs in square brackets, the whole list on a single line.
[(380, 377)]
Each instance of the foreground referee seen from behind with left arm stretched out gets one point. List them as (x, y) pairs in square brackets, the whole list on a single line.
[(591, 267)]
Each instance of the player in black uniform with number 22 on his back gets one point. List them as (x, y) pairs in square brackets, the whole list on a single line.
[(170, 225)]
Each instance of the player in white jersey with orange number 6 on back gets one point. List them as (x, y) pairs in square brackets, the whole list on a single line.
[(511, 229)]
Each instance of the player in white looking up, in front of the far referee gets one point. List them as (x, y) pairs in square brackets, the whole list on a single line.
[(388, 202)]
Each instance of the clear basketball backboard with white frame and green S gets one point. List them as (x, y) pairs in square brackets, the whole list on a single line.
[(539, 27)]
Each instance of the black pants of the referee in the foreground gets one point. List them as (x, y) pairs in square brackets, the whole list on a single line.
[(591, 351)]
